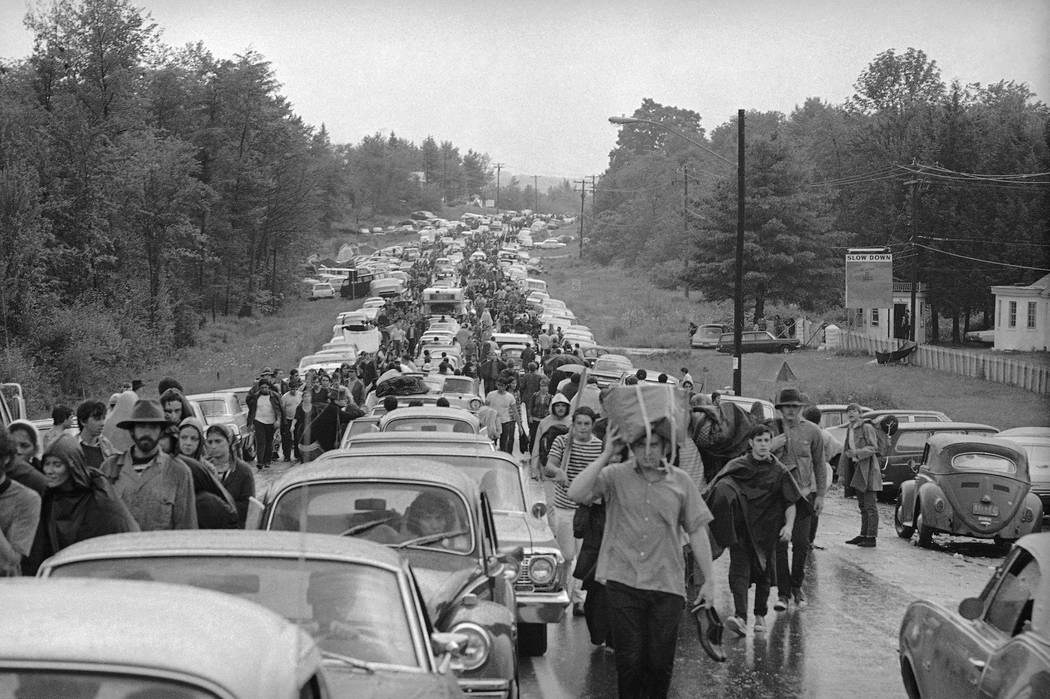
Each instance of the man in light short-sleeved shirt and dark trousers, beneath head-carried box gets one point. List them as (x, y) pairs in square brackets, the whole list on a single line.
[(648, 503)]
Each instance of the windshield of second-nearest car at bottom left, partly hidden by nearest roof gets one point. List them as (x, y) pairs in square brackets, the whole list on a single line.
[(352, 609)]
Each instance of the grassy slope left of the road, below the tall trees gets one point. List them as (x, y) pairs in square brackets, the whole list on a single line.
[(232, 352)]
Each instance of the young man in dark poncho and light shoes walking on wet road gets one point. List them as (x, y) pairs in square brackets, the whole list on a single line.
[(753, 502)]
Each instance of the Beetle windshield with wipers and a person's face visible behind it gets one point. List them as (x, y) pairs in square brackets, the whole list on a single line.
[(392, 514)]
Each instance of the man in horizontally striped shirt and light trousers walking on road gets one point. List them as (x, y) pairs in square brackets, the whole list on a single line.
[(570, 455)]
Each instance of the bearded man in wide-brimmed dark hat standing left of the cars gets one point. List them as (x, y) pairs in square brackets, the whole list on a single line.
[(157, 488)]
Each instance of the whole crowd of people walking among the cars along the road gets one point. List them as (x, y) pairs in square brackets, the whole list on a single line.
[(641, 519)]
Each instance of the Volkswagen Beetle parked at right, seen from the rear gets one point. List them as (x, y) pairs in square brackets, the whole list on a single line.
[(969, 485)]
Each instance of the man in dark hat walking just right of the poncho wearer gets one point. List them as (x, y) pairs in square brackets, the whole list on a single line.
[(800, 446)]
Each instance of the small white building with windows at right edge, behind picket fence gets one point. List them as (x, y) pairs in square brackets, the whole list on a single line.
[(1023, 316)]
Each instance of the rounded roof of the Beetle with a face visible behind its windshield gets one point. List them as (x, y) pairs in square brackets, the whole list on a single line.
[(343, 464)]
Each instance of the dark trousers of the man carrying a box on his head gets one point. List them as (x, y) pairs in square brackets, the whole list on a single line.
[(645, 633)]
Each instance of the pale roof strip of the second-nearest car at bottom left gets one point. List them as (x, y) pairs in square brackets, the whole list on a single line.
[(228, 542)]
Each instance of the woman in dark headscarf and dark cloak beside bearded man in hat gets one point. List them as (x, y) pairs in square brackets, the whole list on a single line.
[(79, 504)]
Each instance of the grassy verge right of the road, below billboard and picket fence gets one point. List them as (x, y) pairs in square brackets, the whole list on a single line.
[(626, 310)]
